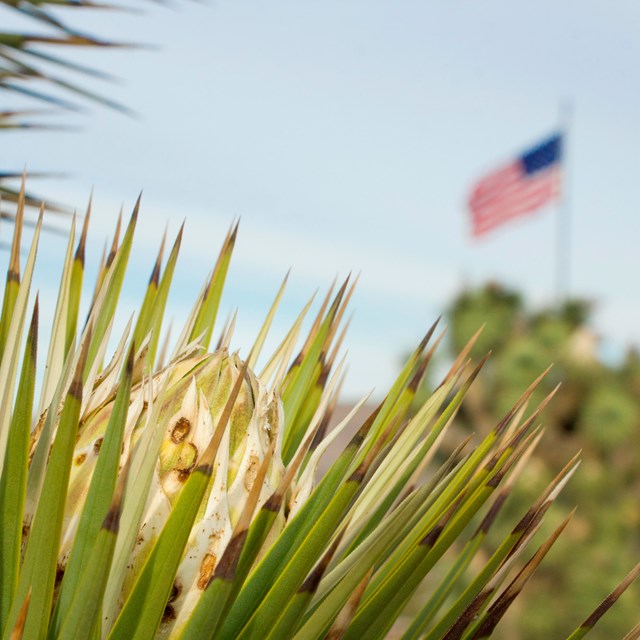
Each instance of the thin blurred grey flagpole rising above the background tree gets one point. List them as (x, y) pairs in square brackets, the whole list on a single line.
[(563, 212)]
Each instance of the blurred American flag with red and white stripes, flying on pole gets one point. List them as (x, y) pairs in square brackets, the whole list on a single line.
[(523, 186)]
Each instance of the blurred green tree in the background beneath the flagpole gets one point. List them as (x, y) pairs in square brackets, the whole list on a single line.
[(596, 409)]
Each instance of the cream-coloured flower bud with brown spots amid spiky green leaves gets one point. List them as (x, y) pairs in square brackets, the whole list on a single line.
[(191, 396)]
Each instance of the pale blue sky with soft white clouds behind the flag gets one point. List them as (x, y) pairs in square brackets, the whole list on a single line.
[(346, 135)]
